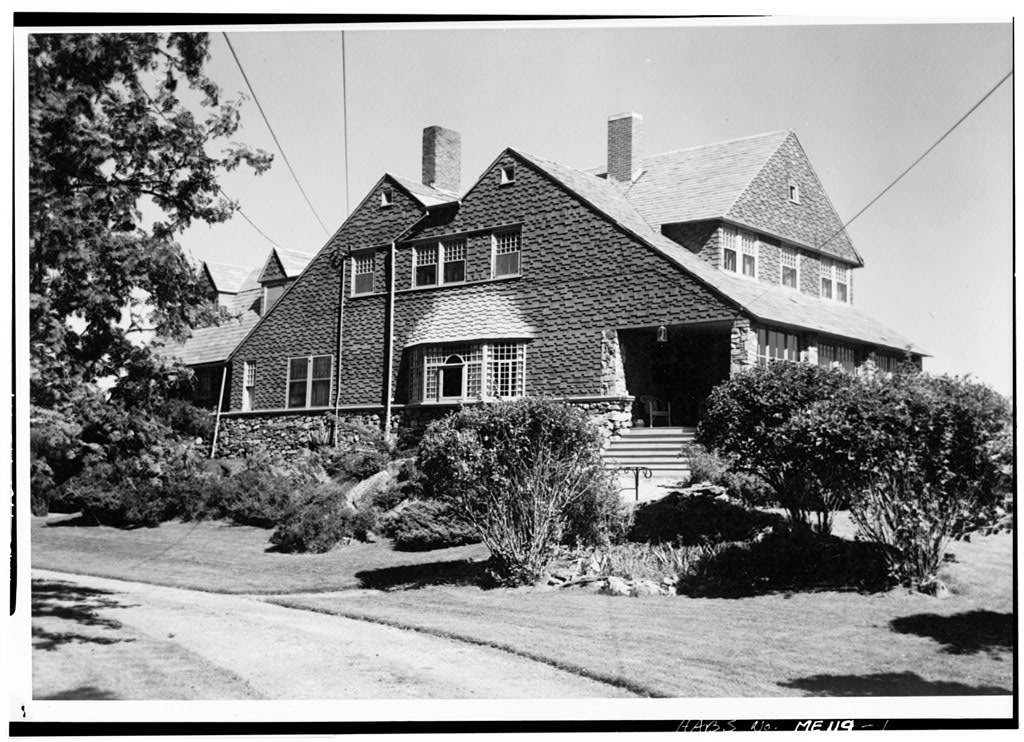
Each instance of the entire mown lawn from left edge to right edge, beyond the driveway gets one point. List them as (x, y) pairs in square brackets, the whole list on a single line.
[(823, 643)]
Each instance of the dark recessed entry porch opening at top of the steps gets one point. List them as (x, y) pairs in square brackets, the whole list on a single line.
[(674, 367)]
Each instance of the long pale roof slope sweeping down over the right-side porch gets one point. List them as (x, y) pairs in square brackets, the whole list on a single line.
[(764, 301)]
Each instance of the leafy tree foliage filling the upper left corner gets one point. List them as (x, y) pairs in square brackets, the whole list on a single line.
[(111, 141)]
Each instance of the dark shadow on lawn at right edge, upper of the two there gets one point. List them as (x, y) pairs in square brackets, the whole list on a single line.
[(962, 633)]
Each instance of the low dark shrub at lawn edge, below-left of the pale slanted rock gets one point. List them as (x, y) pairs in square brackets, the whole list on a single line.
[(316, 520)]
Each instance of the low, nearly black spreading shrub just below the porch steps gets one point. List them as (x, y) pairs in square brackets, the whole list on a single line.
[(694, 519)]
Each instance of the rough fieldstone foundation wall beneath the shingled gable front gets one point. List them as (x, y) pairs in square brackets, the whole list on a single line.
[(292, 433)]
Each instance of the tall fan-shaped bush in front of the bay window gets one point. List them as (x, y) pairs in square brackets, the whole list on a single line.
[(515, 471)]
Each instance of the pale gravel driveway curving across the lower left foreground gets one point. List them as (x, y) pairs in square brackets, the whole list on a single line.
[(104, 639)]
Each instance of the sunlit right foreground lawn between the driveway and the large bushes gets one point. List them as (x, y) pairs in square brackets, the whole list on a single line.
[(829, 643)]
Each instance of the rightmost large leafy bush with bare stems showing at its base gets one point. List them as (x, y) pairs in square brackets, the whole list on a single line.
[(933, 459)]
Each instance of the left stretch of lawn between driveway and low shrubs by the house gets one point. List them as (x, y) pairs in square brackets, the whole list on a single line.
[(220, 557)]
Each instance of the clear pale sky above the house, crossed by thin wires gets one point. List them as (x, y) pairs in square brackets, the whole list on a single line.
[(865, 102)]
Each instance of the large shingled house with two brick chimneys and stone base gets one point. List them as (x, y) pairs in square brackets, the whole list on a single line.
[(631, 289)]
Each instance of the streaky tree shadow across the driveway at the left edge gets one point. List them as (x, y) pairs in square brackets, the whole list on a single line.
[(78, 606)]
